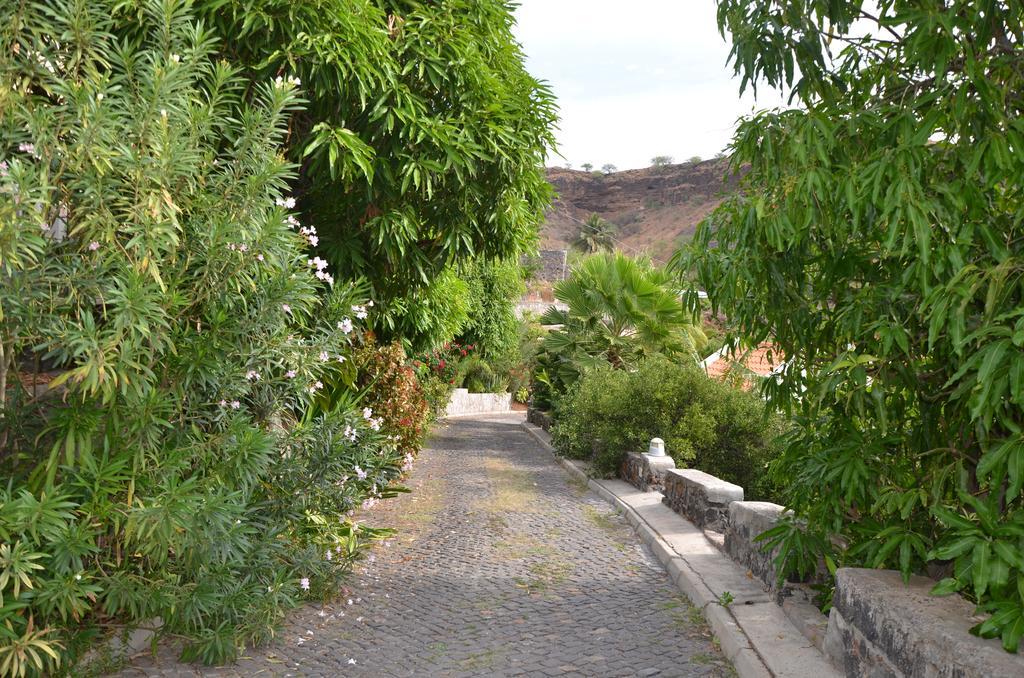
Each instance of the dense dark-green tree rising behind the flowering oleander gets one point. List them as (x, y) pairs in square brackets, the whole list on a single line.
[(423, 141)]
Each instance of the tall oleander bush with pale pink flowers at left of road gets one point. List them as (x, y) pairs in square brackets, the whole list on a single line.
[(165, 342)]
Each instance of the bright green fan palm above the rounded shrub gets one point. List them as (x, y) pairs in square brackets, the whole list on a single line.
[(619, 311)]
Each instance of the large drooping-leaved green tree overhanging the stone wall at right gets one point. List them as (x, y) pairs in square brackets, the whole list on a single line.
[(878, 239)]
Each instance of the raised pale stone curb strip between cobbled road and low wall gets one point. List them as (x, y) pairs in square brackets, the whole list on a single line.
[(755, 634)]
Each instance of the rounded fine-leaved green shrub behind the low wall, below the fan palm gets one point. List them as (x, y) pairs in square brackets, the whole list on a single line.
[(705, 425)]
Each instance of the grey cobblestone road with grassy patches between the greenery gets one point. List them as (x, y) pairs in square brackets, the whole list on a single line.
[(501, 567)]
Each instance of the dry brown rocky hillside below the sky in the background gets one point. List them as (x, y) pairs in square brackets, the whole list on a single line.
[(654, 208)]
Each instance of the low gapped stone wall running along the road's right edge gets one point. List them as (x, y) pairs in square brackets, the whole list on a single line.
[(878, 627)]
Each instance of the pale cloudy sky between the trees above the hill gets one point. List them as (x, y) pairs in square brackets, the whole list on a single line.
[(635, 79)]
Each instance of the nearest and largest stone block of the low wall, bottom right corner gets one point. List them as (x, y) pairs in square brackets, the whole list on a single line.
[(881, 627)]
